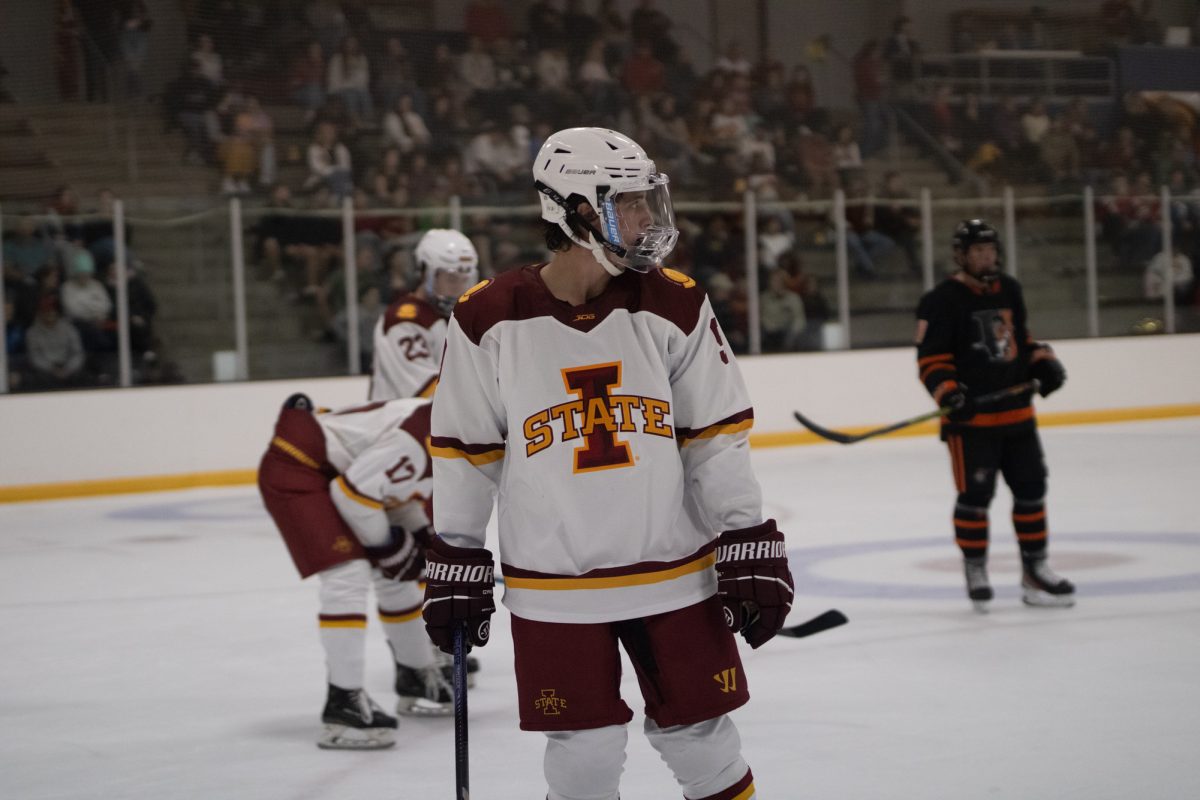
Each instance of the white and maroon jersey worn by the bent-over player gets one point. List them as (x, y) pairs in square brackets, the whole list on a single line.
[(385, 472)]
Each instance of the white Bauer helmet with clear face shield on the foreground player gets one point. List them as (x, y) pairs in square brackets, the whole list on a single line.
[(634, 225)]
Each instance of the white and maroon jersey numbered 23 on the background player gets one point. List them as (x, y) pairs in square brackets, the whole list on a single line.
[(409, 341)]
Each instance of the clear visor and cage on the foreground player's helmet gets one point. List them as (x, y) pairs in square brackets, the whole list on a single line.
[(641, 222)]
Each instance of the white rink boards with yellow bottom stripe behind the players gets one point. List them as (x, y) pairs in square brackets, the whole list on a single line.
[(75, 444)]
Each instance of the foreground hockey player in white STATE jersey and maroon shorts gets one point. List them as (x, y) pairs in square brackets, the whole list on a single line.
[(598, 396)]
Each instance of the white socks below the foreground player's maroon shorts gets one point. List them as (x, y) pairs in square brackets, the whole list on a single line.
[(706, 759)]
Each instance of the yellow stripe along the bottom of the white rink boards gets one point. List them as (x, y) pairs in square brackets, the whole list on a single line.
[(31, 492)]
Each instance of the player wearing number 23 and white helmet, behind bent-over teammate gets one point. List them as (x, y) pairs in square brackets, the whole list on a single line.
[(410, 336)]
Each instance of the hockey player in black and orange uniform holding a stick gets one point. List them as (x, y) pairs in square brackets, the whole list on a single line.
[(973, 340)]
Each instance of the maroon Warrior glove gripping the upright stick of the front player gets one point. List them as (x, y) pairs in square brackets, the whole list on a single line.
[(458, 592)]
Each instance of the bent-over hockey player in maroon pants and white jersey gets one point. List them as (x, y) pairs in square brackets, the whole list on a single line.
[(347, 490)]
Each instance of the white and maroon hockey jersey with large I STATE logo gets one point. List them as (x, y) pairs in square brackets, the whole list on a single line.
[(616, 435)]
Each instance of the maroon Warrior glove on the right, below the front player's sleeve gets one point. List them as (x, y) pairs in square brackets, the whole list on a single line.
[(754, 581)]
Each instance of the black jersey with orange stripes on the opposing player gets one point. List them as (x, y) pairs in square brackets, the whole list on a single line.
[(975, 336)]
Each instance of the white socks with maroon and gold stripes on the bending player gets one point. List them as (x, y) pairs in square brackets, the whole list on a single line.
[(345, 591)]
